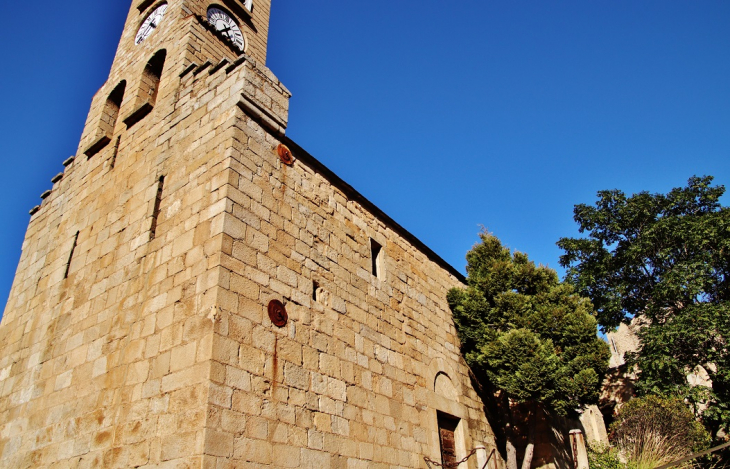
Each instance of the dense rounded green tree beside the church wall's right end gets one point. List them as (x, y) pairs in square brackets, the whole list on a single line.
[(529, 335)]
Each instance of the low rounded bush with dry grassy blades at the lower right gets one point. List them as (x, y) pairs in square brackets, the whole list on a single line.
[(653, 430)]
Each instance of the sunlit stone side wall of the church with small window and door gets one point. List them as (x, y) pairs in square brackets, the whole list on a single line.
[(351, 381)]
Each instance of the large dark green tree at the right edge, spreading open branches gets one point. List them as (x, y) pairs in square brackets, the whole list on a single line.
[(664, 258)]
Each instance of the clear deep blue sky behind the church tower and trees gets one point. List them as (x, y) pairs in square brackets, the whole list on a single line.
[(447, 115)]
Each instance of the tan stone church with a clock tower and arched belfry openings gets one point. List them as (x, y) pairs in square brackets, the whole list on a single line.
[(196, 290)]
